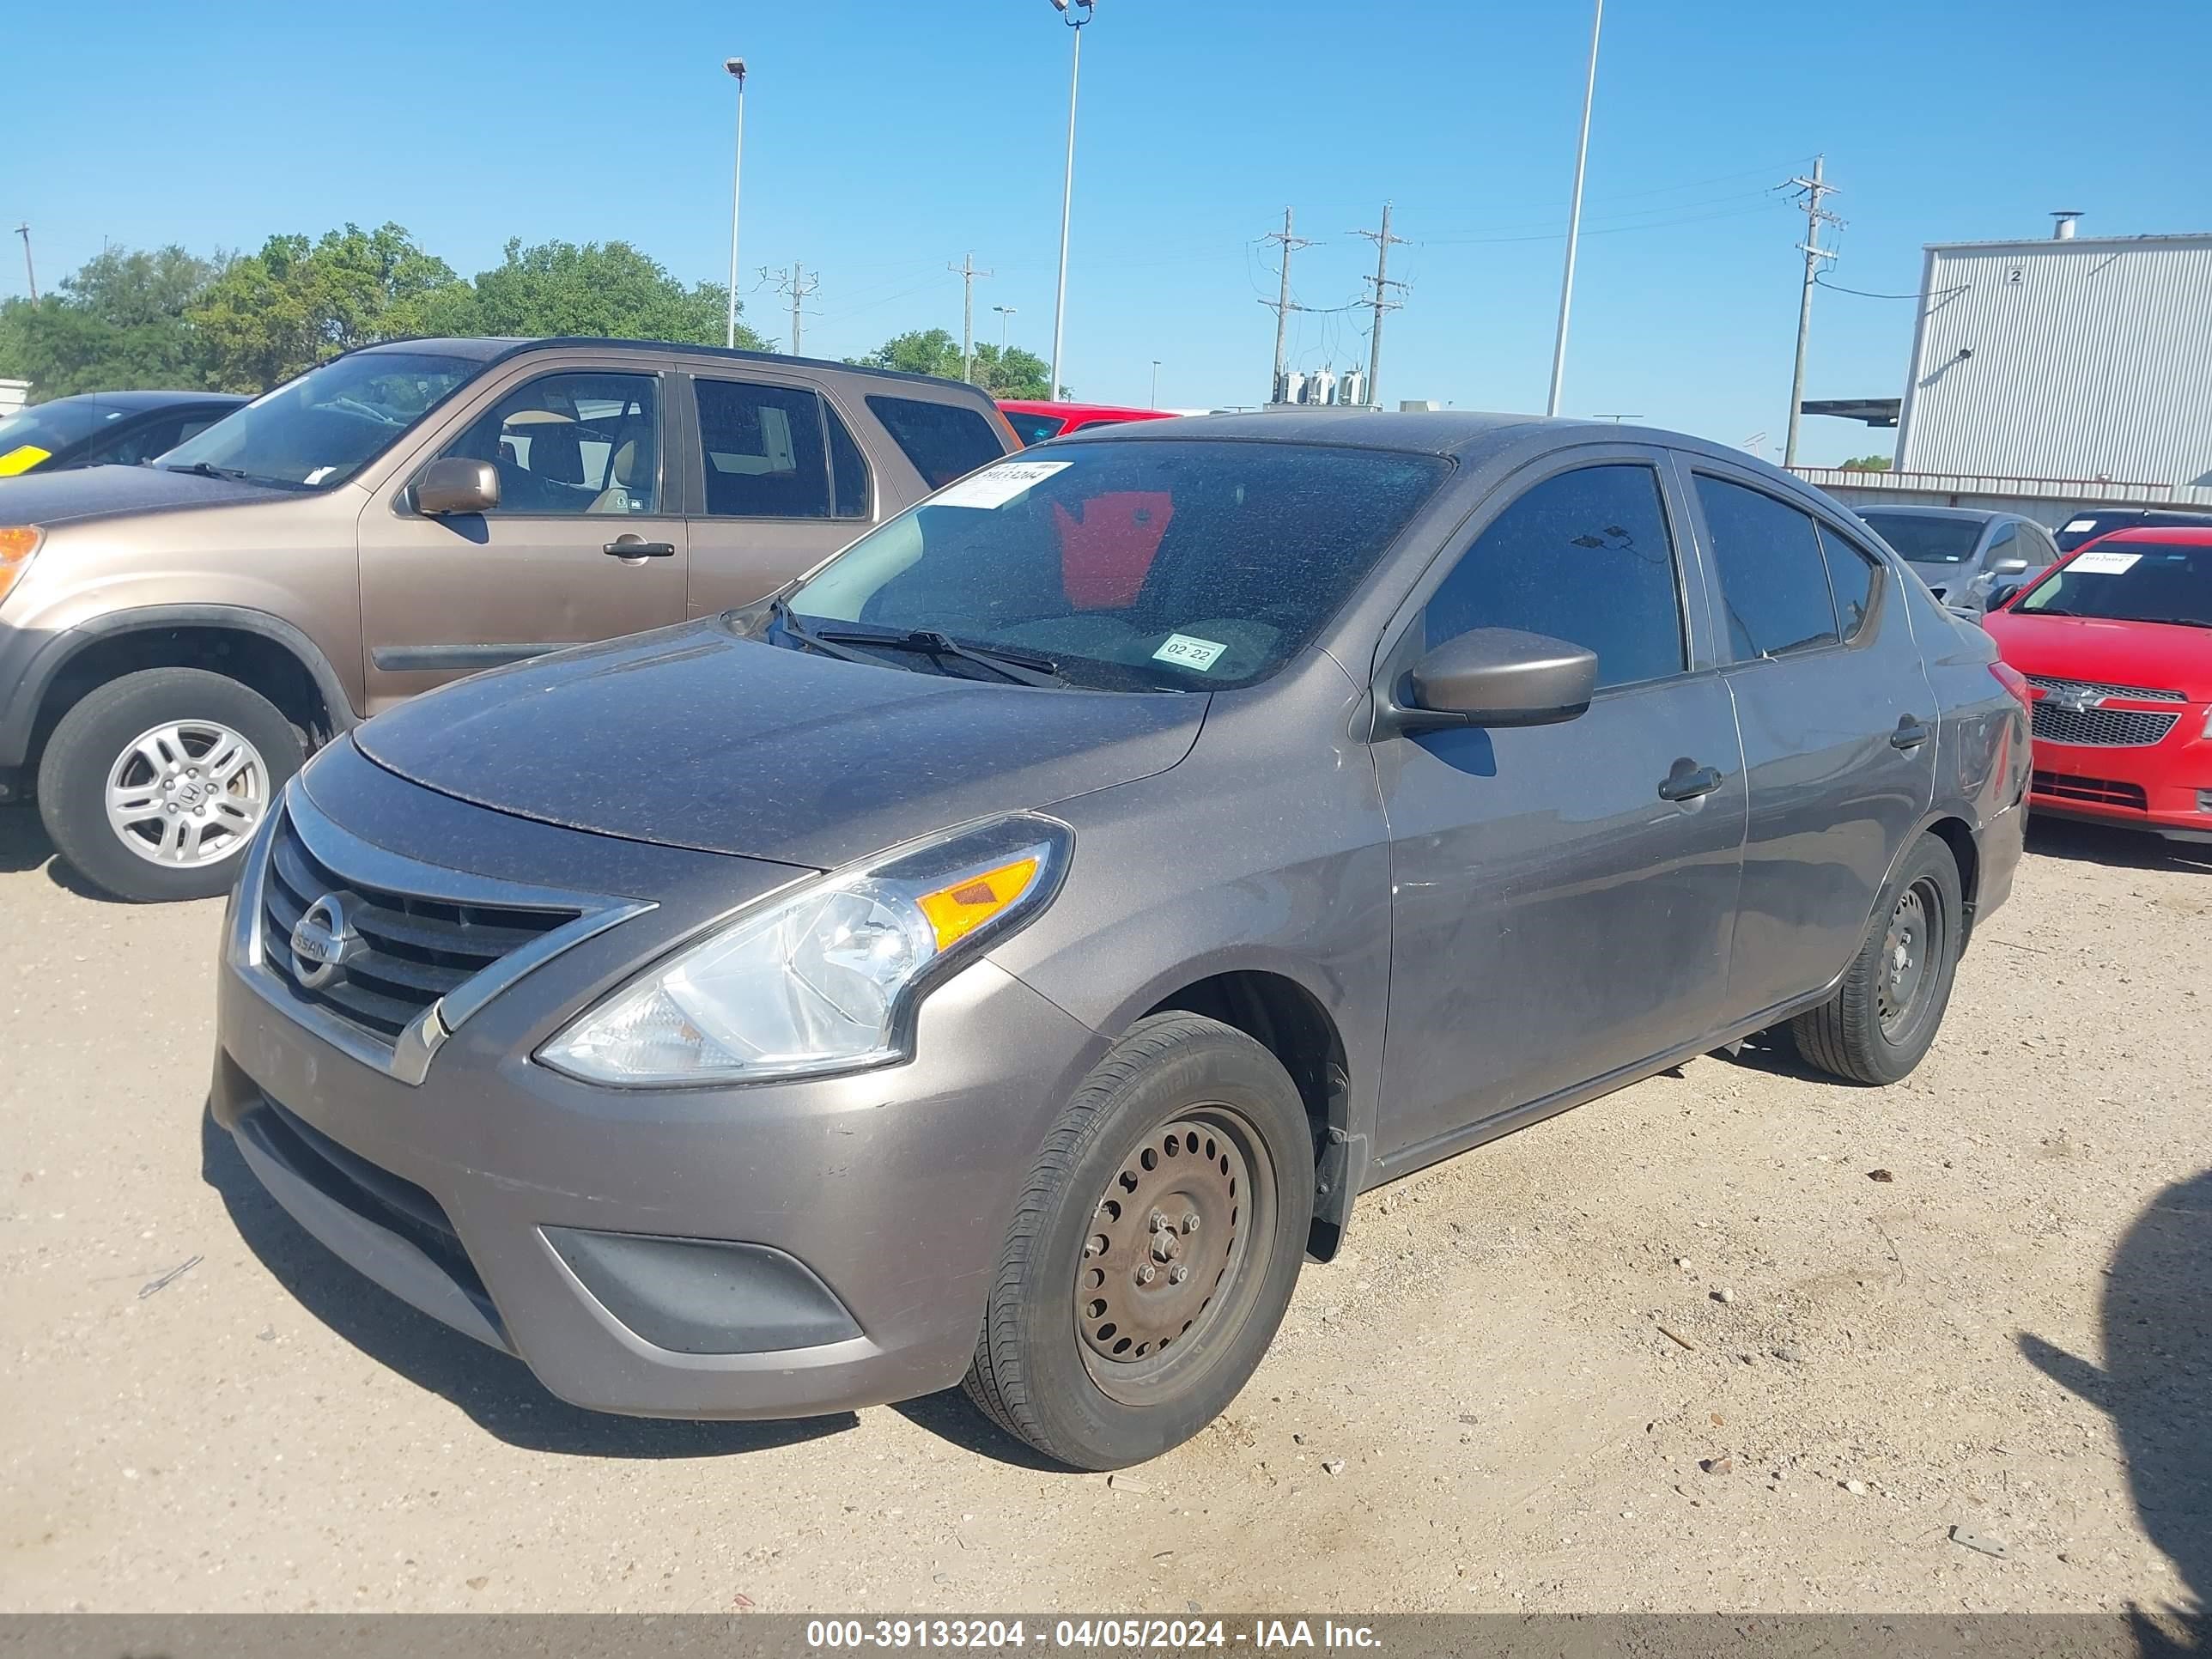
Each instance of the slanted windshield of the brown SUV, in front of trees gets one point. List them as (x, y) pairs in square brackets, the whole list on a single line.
[(328, 424)]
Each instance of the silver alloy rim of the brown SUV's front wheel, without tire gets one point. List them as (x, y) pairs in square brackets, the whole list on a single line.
[(187, 795)]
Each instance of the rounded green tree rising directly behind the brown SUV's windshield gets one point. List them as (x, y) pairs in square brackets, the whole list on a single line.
[(298, 304)]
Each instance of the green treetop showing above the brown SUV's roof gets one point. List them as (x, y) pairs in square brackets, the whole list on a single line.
[(607, 291)]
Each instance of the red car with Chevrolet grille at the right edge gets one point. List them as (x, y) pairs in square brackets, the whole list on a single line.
[(2116, 643)]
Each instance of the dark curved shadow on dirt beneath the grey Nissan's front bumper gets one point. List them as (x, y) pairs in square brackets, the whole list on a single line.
[(492, 1388)]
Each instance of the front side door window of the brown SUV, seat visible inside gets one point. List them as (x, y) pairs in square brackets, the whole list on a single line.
[(574, 444)]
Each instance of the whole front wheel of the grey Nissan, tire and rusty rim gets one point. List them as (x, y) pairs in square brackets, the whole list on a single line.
[(1043, 1368)]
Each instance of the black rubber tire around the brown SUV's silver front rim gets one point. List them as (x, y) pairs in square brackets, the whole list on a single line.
[(96, 735)]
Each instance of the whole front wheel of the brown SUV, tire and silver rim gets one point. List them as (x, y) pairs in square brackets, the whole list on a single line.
[(127, 800)]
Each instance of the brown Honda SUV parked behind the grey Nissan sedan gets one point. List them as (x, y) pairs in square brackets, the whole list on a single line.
[(178, 638)]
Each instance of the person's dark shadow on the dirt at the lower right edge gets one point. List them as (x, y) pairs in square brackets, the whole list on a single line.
[(2158, 1386)]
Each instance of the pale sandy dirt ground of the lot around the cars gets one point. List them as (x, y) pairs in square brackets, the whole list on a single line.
[(1735, 1339)]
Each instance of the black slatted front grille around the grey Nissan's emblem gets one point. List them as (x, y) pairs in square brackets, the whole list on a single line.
[(417, 950)]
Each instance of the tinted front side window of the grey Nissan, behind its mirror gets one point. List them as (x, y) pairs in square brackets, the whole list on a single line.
[(1587, 559)]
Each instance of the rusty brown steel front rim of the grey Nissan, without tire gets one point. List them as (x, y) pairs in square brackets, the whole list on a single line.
[(1171, 1251)]
